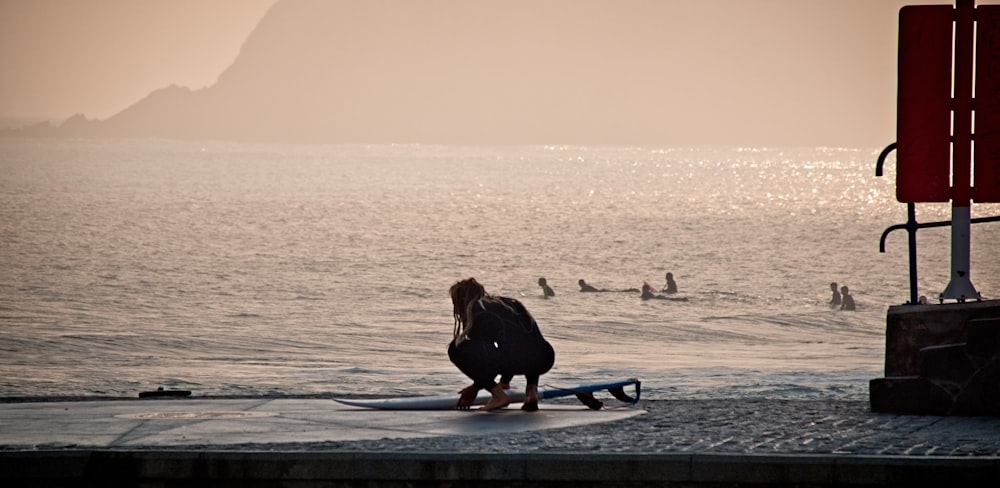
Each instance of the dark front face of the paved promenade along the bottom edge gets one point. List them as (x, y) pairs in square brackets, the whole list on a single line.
[(457, 470)]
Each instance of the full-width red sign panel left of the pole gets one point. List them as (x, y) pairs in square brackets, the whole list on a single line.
[(923, 118)]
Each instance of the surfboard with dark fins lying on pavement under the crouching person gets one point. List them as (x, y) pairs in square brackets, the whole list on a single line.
[(447, 402)]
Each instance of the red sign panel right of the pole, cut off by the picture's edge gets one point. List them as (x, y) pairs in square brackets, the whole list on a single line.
[(986, 184)]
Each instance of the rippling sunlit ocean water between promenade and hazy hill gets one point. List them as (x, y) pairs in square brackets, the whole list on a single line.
[(238, 269)]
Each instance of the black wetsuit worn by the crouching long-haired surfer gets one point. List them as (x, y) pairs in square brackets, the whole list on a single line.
[(504, 340)]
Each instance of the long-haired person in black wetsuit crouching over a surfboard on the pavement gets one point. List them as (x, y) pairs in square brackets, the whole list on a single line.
[(495, 335)]
